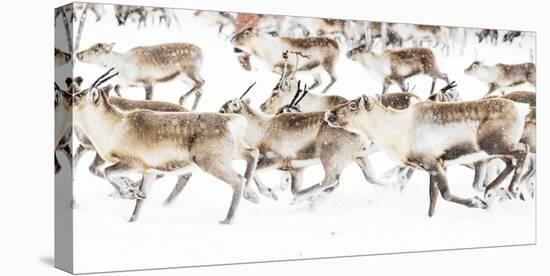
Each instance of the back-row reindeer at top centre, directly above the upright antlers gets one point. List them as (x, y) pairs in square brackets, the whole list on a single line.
[(323, 52)]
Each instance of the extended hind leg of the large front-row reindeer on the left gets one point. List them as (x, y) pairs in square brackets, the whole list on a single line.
[(220, 166)]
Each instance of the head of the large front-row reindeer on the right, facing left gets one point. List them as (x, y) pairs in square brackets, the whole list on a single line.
[(354, 113)]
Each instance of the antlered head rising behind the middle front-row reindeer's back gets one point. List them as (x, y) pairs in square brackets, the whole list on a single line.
[(283, 91)]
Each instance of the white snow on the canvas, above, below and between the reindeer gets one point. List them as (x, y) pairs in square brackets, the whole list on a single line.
[(356, 219)]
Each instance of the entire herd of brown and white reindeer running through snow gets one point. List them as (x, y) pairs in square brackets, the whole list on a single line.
[(294, 129)]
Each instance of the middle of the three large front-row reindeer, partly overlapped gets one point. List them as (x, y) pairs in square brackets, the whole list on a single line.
[(293, 141)]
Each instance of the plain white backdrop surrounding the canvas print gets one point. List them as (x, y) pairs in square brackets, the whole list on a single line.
[(27, 203)]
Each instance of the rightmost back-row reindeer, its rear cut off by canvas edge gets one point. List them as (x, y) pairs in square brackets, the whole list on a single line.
[(502, 75)]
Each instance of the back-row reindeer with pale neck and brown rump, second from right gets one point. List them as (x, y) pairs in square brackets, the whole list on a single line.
[(398, 65)]
